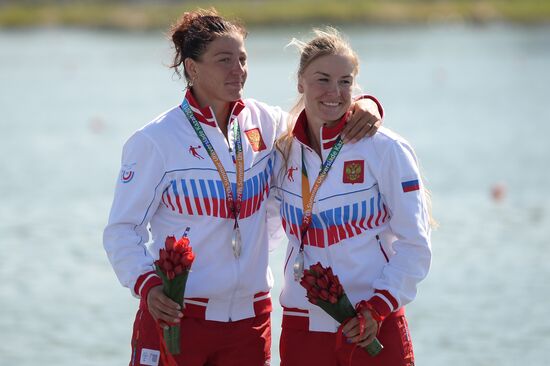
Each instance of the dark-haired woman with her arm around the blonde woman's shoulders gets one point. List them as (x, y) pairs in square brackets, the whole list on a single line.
[(204, 164)]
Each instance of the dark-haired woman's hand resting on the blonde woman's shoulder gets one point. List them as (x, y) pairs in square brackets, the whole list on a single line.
[(364, 121)]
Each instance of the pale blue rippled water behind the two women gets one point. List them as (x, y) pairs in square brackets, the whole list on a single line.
[(473, 100)]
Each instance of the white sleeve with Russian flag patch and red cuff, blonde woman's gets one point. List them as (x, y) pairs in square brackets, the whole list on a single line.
[(401, 186)]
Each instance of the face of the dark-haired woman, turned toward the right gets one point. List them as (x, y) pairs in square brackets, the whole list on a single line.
[(219, 75)]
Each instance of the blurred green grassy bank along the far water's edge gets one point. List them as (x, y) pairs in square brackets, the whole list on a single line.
[(142, 15)]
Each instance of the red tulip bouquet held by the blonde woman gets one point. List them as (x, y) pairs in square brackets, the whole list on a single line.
[(324, 290)]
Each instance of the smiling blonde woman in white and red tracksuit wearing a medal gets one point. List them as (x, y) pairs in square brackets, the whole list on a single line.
[(369, 218)]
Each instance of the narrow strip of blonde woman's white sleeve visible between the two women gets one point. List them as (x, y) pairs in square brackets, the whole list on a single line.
[(275, 230)]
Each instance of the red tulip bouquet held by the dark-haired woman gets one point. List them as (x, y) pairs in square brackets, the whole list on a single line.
[(173, 267)]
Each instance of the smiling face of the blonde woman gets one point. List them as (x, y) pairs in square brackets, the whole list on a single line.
[(326, 85)]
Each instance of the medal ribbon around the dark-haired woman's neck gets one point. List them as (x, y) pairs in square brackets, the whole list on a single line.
[(234, 204)]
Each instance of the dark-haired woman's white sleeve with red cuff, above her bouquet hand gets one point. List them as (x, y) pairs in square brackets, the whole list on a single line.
[(135, 201)]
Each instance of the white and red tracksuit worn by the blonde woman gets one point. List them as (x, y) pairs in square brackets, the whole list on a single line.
[(370, 224)]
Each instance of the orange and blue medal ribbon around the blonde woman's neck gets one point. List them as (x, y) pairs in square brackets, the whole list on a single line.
[(309, 196)]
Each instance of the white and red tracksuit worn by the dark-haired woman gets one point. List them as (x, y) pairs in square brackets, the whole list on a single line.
[(169, 182)]
